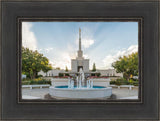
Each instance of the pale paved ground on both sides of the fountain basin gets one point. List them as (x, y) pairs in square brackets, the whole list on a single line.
[(120, 93)]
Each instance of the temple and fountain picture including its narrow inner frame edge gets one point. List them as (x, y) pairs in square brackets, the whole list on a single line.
[(76, 77)]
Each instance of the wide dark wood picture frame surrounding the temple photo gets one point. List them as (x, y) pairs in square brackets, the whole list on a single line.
[(14, 108)]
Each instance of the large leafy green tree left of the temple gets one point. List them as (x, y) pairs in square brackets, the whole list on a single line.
[(33, 62)]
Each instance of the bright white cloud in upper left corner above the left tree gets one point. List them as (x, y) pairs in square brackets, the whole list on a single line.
[(28, 37)]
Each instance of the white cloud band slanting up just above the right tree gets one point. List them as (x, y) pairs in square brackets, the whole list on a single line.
[(109, 59)]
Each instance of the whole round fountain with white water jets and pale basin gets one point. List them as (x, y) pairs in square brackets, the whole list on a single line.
[(80, 88)]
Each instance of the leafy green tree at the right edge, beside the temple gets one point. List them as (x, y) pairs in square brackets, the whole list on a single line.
[(128, 65)]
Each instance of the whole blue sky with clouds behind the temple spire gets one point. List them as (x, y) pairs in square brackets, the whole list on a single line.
[(102, 42)]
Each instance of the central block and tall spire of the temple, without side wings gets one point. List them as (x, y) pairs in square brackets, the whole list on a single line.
[(80, 61)]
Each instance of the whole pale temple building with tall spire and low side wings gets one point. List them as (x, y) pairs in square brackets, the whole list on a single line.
[(80, 62)]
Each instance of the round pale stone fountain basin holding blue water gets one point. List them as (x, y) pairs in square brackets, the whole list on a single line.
[(80, 93)]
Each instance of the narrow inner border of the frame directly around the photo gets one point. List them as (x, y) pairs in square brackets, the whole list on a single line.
[(140, 21)]
